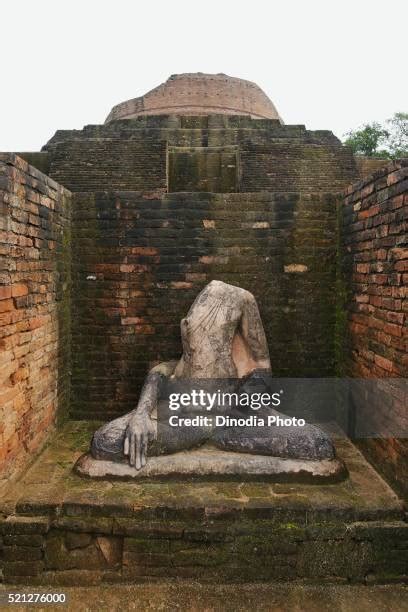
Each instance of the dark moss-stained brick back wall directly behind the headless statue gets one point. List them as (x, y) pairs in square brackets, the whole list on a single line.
[(140, 260)]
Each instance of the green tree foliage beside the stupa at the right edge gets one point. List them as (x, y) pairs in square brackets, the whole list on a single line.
[(388, 141)]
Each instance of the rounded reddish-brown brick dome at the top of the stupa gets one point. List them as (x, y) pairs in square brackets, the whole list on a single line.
[(199, 94)]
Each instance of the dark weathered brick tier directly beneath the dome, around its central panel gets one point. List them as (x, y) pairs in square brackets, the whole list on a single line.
[(132, 154)]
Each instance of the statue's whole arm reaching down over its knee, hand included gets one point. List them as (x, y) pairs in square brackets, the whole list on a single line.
[(141, 428)]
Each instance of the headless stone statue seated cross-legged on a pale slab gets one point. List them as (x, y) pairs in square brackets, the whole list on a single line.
[(223, 338)]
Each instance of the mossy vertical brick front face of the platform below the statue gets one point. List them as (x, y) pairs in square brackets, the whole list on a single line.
[(92, 550)]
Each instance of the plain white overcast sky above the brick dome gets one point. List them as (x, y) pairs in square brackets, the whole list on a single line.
[(332, 64)]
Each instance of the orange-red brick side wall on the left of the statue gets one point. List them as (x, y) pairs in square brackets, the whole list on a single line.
[(34, 309)]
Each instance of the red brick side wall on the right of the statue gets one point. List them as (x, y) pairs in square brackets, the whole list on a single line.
[(375, 214)]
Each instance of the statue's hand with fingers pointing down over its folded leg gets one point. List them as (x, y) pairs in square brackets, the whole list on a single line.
[(140, 430)]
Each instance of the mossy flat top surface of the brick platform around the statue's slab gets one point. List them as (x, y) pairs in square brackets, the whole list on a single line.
[(50, 488)]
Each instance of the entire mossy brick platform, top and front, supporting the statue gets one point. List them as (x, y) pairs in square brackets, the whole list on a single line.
[(57, 528)]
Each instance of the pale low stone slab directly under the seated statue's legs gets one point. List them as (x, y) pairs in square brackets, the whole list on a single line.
[(209, 463)]
